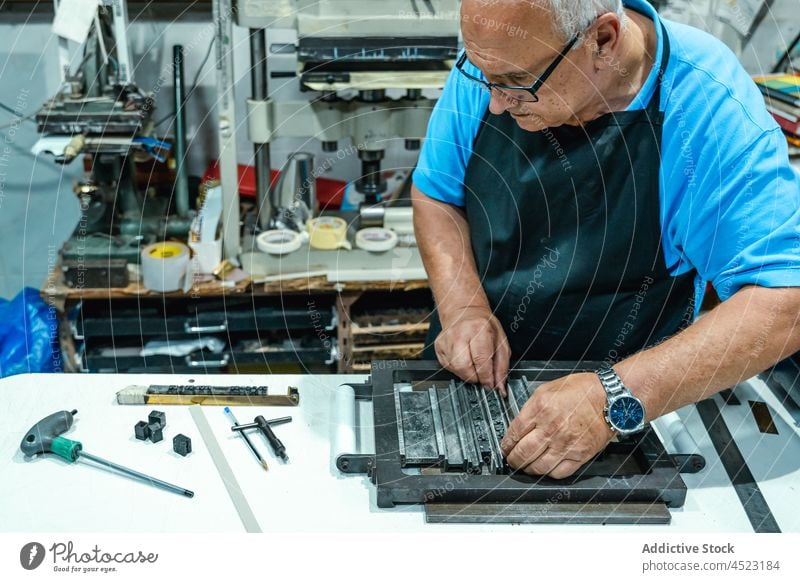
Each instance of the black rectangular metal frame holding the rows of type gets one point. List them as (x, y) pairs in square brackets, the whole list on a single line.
[(659, 481)]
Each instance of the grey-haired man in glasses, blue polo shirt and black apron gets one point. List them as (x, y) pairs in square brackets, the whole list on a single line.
[(588, 168)]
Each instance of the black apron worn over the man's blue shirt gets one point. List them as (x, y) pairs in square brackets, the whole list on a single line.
[(565, 228)]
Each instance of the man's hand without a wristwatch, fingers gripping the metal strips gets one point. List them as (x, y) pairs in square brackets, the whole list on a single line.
[(474, 346)]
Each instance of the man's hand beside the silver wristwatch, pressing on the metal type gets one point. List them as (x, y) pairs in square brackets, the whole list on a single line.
[(560, 427)]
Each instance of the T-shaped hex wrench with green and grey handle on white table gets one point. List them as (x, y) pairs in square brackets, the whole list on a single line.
[(45, 437)]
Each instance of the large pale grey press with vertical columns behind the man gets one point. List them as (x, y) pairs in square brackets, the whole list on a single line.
[(366, 65)]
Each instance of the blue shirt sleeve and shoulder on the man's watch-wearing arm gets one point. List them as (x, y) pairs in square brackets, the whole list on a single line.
[(730, 197)]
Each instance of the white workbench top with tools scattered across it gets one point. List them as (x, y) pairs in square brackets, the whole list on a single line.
[(308, 494)]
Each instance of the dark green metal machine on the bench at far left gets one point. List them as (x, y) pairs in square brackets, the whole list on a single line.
[(101, 117)]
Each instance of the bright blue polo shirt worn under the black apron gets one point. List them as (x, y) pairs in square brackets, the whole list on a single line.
[(729, 199)]
